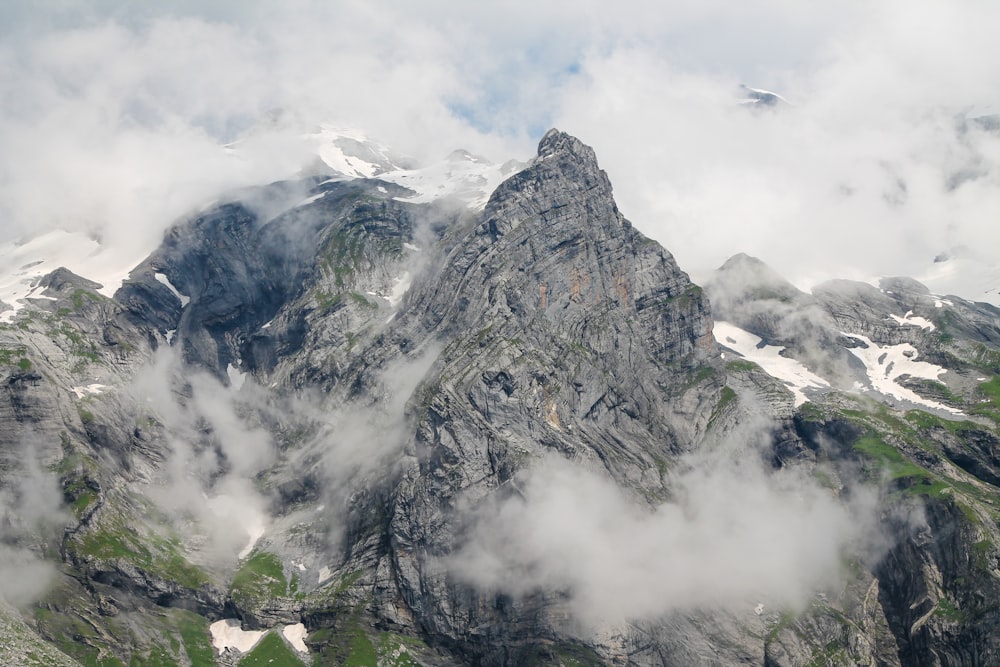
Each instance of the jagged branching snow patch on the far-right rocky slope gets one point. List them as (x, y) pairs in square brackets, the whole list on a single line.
[(885, 364)]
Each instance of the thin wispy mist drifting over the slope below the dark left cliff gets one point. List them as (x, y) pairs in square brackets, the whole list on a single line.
[(232, 454)]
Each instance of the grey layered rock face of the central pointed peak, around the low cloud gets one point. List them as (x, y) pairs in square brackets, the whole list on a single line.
[(566, 331)]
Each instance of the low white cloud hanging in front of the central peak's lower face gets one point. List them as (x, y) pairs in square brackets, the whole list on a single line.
[(734, 535)]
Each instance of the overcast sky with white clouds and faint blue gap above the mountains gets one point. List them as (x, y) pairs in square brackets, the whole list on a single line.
[(113, 115)]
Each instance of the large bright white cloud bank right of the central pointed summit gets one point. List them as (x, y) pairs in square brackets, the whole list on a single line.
[(850, 180)]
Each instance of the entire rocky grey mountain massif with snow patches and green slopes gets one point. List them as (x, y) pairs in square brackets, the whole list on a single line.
[(340, 420)]
